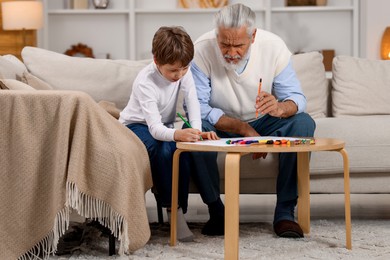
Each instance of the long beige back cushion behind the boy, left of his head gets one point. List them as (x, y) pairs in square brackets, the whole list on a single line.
[(102, 79)]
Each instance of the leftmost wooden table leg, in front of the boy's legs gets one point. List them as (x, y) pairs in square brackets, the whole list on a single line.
[(175, 188)]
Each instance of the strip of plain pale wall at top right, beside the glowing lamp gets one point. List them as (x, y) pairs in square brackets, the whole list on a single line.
[(375, 16)]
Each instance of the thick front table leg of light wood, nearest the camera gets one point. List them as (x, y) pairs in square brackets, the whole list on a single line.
[(232, 206)]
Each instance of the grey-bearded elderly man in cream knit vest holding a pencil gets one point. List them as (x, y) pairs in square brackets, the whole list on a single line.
[(229, 62)]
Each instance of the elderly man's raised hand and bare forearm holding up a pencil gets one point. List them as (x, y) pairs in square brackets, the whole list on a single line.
[(268, 104)]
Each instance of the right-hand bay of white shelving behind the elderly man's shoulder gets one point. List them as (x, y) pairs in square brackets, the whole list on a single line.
[(335, 26)]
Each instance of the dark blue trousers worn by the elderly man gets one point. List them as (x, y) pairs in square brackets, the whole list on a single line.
[(206, 171)]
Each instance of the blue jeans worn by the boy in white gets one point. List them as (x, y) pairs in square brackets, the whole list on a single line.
[(161, 158)]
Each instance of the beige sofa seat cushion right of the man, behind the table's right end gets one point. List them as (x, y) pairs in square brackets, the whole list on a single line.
[(366, 145)]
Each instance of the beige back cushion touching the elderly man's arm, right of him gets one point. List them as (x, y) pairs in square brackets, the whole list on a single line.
[(311, 73)]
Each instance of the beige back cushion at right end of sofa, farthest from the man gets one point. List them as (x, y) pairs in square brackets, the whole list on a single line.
[(360, 87)]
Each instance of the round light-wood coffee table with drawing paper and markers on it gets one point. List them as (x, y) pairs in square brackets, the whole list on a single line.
[(232, 180)]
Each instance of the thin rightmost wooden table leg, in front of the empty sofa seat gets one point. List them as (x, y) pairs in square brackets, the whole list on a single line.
[(347, 201)]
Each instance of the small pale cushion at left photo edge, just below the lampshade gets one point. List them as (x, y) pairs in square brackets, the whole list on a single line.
[(11, 67)]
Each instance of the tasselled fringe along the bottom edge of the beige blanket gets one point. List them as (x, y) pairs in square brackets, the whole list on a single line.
[(88, 207)]
